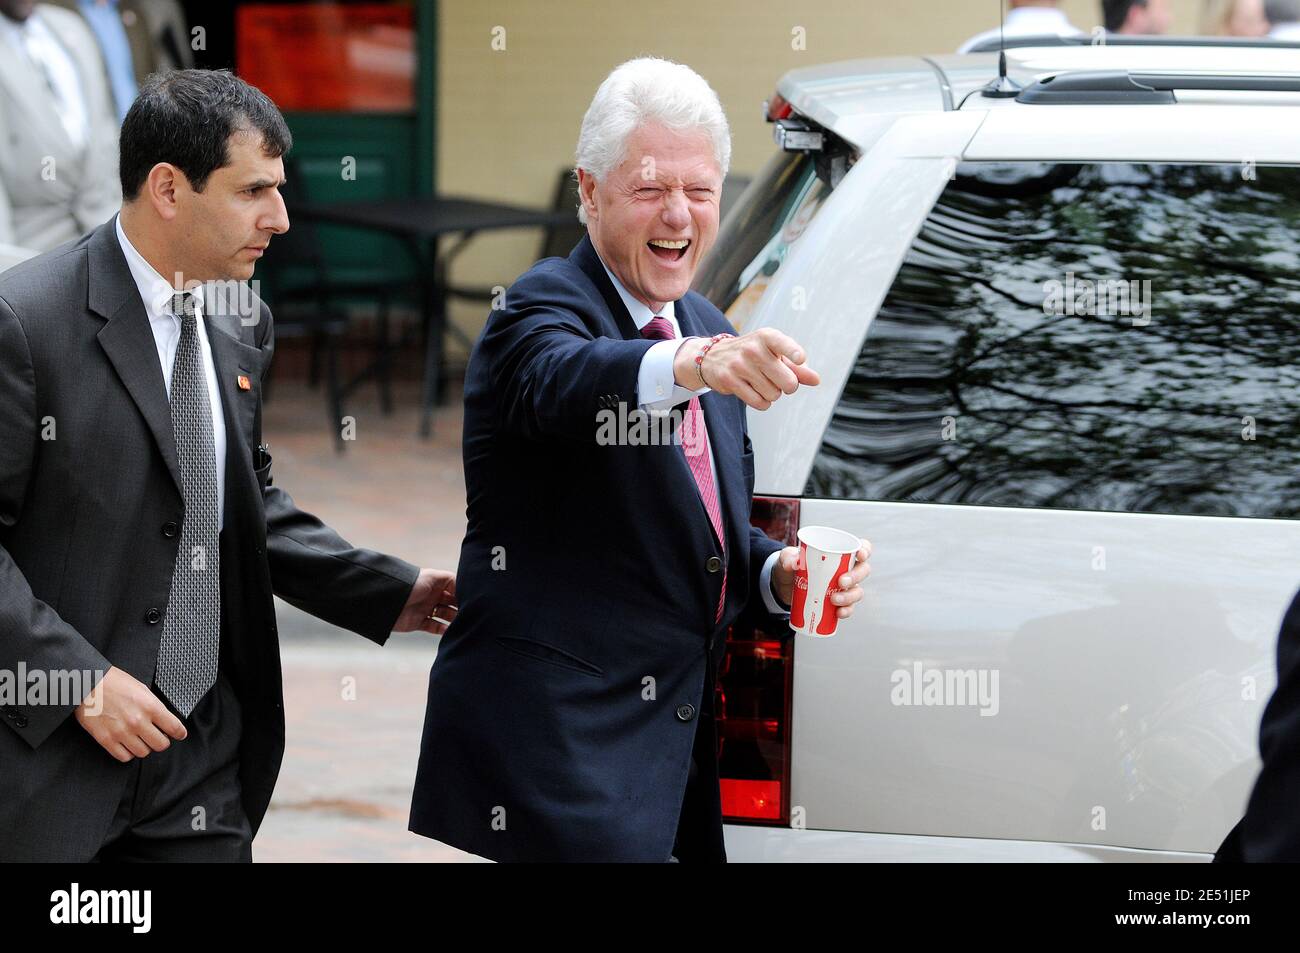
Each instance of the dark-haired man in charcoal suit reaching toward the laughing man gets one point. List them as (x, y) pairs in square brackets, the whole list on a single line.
[(141, 535)]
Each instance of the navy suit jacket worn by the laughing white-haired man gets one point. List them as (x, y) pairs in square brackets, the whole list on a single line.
[(564, 703)]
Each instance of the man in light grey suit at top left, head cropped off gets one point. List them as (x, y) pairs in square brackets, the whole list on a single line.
[(59, 163)]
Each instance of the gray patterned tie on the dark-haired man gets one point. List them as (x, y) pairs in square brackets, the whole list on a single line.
[(192, 631)]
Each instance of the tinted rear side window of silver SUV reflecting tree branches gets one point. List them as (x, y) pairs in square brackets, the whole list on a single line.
[(1111, 337)]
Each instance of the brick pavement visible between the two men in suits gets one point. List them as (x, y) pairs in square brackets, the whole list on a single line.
[(354, 711)]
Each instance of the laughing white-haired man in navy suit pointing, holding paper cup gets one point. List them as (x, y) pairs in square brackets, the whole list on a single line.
[(570, 712)]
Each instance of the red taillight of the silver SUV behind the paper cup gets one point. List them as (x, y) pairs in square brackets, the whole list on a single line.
[(753, 701)]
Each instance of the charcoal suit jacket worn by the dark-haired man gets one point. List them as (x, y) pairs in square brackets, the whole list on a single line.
[(85, 549)]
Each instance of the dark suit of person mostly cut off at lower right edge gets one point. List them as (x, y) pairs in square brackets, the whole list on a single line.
[(1271, 830)]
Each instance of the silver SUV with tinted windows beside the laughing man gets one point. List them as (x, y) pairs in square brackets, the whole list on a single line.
[(1059, 337)]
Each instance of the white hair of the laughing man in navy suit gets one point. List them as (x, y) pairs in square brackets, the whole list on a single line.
[(648, 90)]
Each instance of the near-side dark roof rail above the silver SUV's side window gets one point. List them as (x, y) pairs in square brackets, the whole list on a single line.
[(1139, 88)]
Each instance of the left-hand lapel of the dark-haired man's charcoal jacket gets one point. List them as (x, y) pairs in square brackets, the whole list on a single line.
[(128, 339)]
